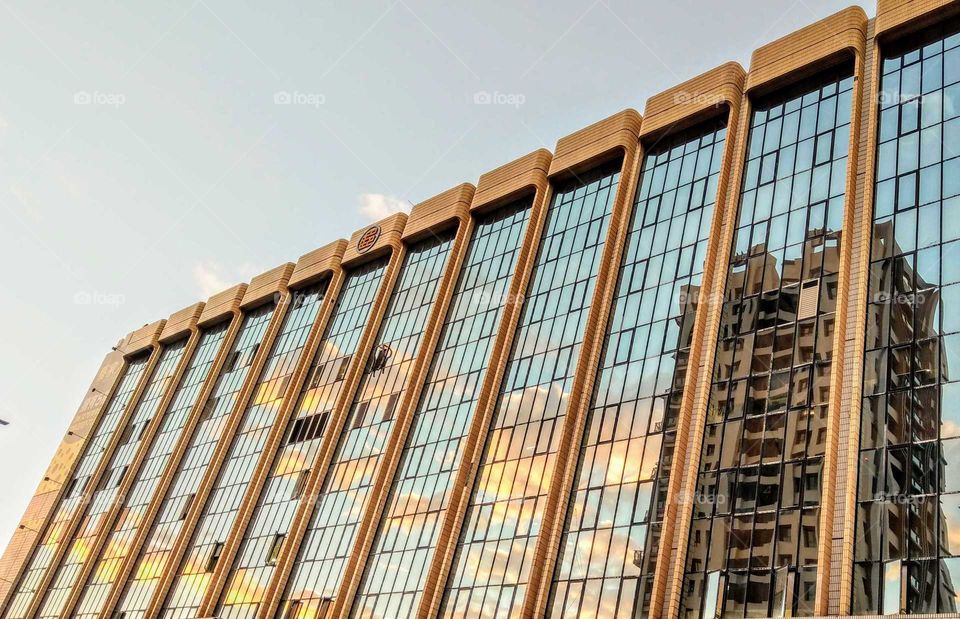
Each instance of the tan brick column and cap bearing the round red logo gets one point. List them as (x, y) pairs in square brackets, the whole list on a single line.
[(389, 242)]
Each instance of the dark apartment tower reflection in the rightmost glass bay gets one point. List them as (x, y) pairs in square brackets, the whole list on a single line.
[(903, 313)]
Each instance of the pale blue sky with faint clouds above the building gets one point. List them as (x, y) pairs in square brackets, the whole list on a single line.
[(152, 154)]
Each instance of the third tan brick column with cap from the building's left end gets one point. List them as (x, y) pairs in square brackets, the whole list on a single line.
[(218, 308)]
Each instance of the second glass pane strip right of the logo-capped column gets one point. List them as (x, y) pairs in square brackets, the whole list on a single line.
[(409, 528)]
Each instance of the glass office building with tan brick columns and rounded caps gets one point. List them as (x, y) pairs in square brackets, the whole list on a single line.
[(696, 362)]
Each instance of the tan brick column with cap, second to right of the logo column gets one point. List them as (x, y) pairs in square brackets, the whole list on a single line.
[(524, 176)]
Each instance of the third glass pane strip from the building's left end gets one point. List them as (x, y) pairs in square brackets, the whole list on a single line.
[(117, 547)]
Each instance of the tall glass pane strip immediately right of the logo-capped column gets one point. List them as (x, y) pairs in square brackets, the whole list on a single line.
[(343, 496)]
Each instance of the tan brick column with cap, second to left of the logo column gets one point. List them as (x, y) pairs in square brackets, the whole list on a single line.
[(262, 289)]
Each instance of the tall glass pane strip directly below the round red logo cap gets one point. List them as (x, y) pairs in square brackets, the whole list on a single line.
[(284, 488)]
